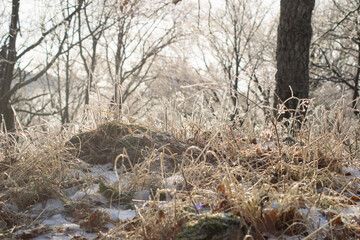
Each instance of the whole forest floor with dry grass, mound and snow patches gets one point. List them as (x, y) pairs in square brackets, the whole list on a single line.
[(128, 181)]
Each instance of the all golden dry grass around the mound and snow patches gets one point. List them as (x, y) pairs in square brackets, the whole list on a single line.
[(274, 188)]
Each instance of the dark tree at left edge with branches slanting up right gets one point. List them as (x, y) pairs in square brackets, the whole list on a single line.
[(9, 57)]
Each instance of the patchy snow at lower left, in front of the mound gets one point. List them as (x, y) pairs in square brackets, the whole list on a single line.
[(54, 222)]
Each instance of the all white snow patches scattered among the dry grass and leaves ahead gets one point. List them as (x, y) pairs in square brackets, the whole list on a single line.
[(51, 213)]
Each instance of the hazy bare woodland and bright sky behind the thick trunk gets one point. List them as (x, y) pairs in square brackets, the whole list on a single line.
[(143, 59)]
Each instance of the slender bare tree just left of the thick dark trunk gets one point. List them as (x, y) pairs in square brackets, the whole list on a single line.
[(238, 39)]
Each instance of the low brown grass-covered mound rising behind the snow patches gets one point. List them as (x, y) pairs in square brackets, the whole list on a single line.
[(130, 144)]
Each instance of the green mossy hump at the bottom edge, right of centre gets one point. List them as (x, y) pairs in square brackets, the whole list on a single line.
[(209, 226)]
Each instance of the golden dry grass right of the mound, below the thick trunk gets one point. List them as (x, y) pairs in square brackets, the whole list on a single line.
[(271, 186)]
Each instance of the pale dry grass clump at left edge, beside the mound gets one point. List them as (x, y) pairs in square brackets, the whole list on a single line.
[(35, 167)]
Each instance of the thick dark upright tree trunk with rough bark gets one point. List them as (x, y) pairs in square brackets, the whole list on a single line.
[(292, 55)]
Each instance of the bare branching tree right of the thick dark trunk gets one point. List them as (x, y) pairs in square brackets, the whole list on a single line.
[(336, 50)]
